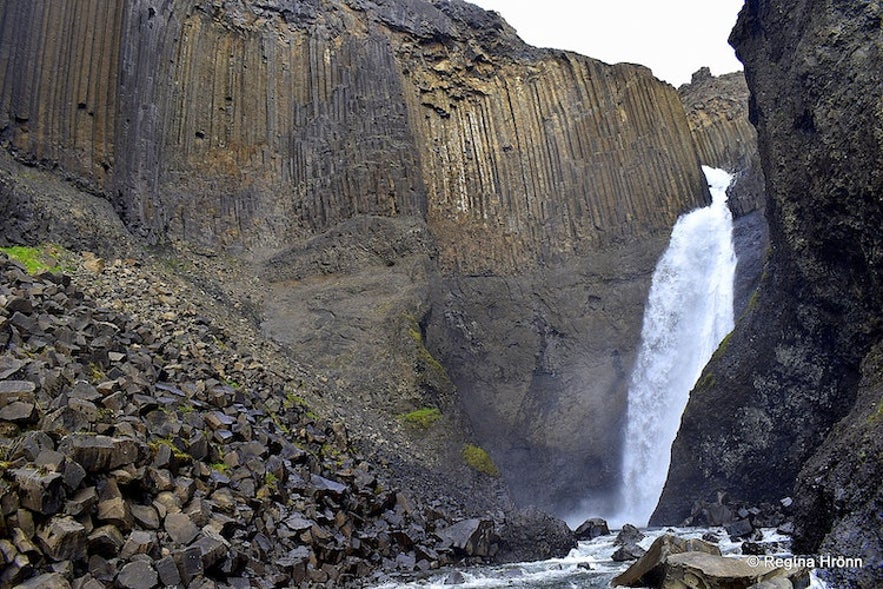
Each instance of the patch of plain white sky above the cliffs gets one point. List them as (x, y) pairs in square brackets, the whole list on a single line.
[(674, 38)]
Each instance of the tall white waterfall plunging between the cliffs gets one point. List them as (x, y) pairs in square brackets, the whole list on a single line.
[(688, 313)]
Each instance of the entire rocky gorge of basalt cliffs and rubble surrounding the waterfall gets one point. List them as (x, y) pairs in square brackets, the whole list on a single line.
[(414, 235)]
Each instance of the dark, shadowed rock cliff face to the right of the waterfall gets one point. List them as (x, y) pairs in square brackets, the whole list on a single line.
[(798, 361)]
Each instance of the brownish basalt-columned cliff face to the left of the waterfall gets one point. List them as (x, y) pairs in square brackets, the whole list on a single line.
[(520, 180)]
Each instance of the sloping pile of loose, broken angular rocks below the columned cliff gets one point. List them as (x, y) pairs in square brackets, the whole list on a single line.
[(141, 455)]
